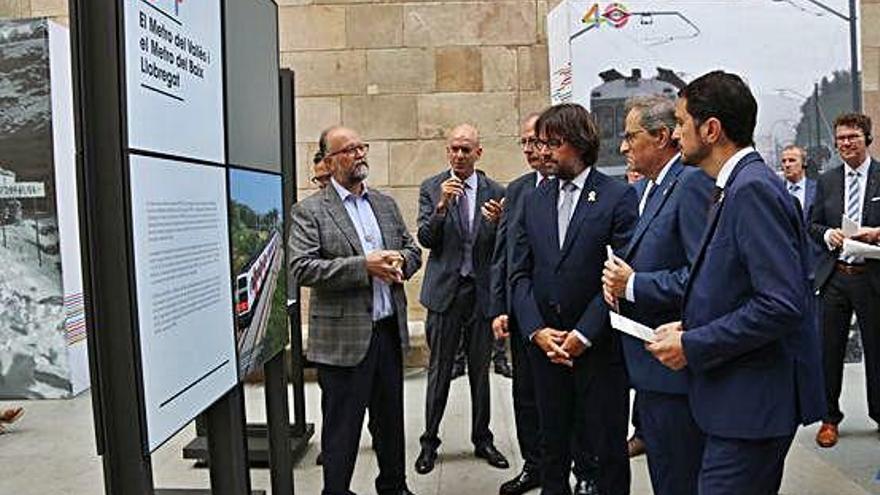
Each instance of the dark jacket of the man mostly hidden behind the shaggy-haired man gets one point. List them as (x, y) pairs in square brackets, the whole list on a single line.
[(505, 239)]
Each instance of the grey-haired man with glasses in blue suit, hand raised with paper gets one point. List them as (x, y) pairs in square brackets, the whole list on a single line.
[(647, 284)]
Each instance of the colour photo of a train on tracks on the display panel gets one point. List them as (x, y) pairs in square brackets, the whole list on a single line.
[(259, 291)]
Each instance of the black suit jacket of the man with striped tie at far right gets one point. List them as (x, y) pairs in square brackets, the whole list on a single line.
[(828, 210)]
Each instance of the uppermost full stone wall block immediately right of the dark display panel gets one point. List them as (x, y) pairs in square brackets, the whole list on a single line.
[(311, 27)]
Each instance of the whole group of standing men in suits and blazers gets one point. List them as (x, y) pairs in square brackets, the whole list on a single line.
[(712, 251)]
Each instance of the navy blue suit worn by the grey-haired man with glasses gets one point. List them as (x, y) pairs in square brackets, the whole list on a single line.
[(665, 243)]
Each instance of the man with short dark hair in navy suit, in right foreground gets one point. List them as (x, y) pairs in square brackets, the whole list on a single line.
[(748, 335)]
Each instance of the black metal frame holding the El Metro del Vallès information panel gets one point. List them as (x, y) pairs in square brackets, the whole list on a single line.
[(105, 218)]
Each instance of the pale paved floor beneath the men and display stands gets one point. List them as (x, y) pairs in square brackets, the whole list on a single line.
[(51, 451)]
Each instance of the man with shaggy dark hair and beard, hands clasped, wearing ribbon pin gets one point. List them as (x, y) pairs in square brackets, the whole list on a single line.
[(560, 249)]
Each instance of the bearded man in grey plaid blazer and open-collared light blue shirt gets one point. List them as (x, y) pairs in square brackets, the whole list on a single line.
[(350, 245)]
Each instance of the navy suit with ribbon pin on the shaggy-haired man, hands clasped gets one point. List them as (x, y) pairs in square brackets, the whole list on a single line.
[(558, 288)]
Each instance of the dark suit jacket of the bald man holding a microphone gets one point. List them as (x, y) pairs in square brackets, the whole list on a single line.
[(442, 235)]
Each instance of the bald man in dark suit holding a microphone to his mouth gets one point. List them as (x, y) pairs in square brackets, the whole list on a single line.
[(455, 290)]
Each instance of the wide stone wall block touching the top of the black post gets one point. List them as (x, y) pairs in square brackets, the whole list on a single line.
[(328, 72)]
